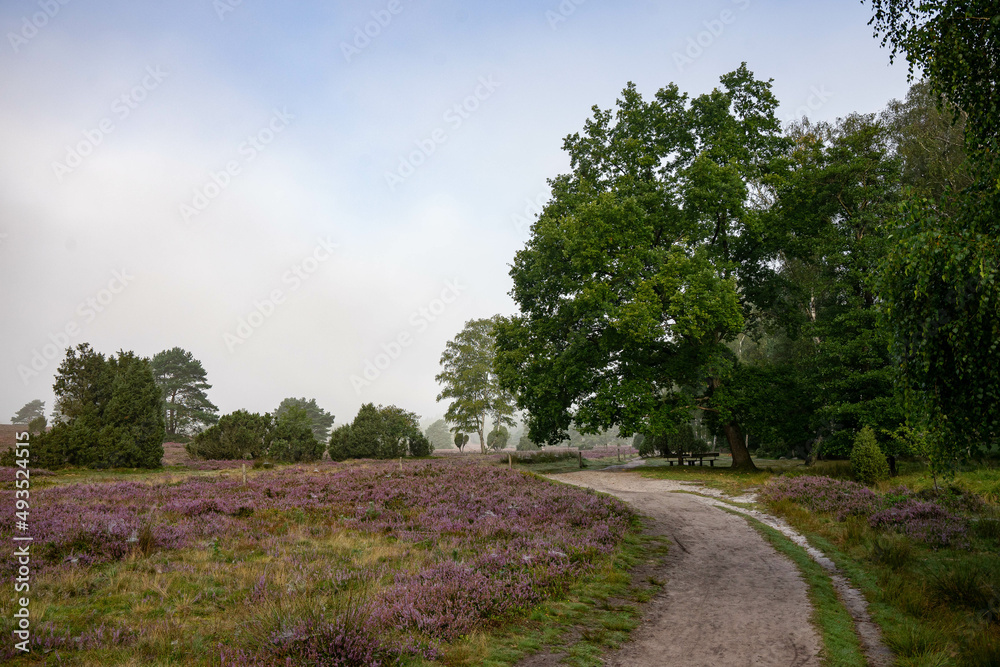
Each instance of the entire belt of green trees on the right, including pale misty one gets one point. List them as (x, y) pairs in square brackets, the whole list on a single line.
[(792, 284)]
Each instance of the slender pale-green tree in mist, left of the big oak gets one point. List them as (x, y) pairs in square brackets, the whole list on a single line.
[(469, 379)]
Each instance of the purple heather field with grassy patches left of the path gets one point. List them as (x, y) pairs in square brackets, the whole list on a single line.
[(363, 562)]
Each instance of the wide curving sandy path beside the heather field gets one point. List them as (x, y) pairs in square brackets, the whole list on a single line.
[(730, 599)]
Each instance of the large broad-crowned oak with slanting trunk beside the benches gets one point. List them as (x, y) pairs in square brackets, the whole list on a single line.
[(628, 285)]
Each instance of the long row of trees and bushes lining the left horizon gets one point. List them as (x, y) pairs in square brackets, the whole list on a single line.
[(116, 411)]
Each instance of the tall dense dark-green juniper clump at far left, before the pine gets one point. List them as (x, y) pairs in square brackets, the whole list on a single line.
[(112, 410)]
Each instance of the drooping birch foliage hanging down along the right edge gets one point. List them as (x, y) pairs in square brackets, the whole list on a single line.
[(941, 279)]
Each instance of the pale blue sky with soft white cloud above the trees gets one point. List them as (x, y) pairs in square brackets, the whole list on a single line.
[(313, 198)]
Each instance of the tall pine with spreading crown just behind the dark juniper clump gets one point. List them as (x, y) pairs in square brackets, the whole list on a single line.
[(182, 382)]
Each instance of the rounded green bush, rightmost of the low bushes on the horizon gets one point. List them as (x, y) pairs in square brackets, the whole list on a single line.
[(379, 433)]
